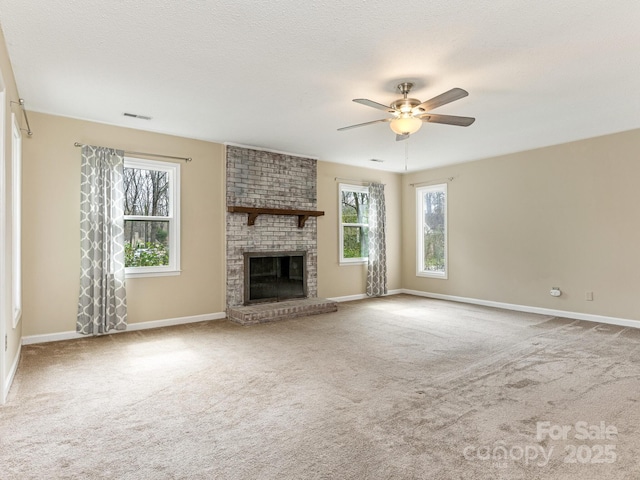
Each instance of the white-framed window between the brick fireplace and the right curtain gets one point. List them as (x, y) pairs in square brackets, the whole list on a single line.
[(354, 223)]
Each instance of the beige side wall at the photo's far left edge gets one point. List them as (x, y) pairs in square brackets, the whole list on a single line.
[(14, 335)]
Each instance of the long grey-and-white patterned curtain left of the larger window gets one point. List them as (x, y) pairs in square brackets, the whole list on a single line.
[(102, 305)]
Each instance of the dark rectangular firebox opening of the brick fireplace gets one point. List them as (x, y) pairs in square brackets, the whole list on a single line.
[(274, 276)]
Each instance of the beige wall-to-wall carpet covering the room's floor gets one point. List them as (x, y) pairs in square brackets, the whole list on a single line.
[(394, 388)]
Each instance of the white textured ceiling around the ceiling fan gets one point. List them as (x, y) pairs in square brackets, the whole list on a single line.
[(281, 74)]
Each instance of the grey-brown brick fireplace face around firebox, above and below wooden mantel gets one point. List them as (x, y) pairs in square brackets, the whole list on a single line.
[(270, 180)]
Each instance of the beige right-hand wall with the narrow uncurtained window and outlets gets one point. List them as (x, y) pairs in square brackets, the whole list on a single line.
[(566, 216)]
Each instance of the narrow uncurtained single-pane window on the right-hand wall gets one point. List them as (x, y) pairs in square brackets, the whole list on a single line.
[(432, 231)]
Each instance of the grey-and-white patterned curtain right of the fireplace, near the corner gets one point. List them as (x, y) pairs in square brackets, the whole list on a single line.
[(377, 266)]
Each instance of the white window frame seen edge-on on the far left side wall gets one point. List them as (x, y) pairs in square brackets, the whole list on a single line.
[(16, 220)]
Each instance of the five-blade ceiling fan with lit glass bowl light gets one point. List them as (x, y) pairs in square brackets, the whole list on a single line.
[(410, 113)]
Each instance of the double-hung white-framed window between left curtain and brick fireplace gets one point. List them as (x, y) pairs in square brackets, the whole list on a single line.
[(151, 217)]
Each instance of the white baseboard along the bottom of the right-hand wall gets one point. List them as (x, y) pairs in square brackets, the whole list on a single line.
[(622, 322)]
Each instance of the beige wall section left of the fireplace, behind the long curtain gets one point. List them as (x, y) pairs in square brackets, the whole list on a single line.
[(51, 219)]
